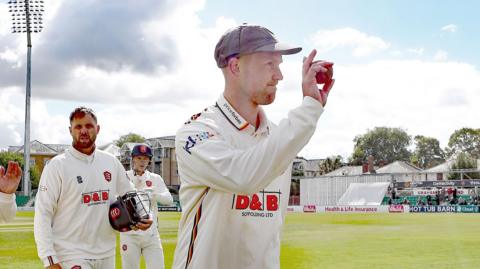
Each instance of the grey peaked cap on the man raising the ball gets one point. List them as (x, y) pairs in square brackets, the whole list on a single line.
[(246, 39)]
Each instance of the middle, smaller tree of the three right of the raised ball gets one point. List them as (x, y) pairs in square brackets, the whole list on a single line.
[(427, 152)]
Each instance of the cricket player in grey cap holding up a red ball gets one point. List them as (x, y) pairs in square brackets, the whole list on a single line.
[(234, 164)]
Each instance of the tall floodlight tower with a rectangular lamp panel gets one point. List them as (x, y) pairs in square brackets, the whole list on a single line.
[(27, 18)]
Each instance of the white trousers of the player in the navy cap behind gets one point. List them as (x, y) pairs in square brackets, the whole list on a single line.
[(132, 246)]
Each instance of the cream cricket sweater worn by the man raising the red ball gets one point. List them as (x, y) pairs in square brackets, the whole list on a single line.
[(235, 184)]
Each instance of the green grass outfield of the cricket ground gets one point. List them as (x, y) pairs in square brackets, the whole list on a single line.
[(320, 241)]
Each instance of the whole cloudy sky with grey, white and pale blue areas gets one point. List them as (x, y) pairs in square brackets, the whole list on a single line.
[(146, 66)]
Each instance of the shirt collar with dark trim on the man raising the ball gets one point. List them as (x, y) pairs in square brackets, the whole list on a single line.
[(239, 122)]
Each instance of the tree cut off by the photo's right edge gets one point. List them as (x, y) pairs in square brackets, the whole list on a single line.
[(465, 140)]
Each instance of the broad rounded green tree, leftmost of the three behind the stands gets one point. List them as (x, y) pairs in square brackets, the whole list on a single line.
[(383, 143)]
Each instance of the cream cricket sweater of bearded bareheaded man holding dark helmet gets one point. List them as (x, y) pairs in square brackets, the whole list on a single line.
[(72, 204)]
